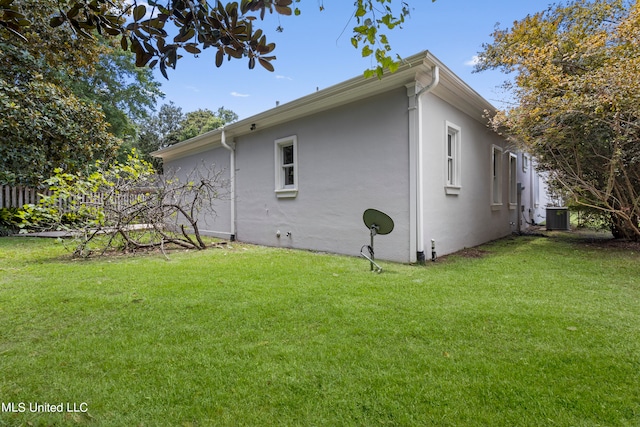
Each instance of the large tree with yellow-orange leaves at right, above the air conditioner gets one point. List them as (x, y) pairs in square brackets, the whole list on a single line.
[(577, 89)]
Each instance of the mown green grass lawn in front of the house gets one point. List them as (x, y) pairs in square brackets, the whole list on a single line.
[(528, 331)]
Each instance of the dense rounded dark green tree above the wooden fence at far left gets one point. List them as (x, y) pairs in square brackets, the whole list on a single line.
[(44, 125)]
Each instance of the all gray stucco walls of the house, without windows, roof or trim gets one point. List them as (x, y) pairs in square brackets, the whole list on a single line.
[(356, 157)]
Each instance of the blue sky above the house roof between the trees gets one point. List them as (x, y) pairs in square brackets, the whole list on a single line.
[(314, 51)]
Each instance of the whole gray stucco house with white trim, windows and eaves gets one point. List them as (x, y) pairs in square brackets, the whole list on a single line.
[(413, 144)]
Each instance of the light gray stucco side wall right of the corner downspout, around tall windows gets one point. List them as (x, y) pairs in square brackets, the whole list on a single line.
[(466, 219)]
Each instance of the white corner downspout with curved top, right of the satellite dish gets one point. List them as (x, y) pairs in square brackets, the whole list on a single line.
[(435, 79)]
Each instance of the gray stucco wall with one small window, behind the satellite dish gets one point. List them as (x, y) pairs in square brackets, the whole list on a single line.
[(349, 159)]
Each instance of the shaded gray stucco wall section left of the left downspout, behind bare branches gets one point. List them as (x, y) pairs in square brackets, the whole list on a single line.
[(218, 225)]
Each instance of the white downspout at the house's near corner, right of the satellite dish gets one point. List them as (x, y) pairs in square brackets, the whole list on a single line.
[(416, 133)]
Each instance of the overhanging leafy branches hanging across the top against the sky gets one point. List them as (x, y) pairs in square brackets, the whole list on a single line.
[(141, 27)]
